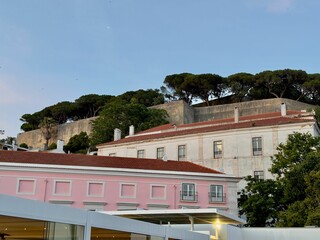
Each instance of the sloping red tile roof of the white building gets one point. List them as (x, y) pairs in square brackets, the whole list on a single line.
[(168, 130)]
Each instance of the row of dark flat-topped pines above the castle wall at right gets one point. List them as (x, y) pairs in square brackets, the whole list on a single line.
[(286, 83)]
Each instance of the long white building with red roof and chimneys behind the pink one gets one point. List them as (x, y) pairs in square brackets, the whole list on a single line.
[(241, 146)]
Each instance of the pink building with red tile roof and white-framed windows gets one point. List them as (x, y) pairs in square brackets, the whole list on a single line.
[(115, 183)]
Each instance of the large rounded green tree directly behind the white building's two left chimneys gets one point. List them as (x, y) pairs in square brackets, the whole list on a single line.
[(120, 114)]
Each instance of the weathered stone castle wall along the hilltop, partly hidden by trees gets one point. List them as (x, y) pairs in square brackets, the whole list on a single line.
[(179, 113)]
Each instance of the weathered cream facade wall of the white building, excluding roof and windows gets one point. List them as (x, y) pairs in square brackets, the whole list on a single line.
[(237, 158)]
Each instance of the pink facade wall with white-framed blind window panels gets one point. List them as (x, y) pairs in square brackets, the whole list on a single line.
[(80, 188)]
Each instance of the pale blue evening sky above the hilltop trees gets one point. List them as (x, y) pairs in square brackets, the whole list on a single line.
[(57, 50)]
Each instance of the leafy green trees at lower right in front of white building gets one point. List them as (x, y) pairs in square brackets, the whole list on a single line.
[(297, 170)]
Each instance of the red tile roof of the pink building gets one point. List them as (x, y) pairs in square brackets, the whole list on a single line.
[(101, 161)]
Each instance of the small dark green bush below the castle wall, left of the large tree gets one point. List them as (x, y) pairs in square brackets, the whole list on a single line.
[(78, 144)]
